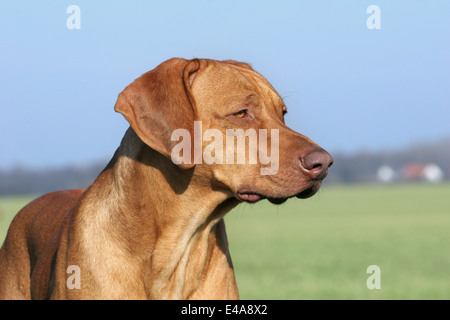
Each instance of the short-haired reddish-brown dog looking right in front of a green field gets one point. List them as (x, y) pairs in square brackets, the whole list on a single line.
[(148, 228)]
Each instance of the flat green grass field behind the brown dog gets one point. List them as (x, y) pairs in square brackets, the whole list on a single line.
[(320, 248)]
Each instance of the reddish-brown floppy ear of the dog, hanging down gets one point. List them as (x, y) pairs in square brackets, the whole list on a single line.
[(159, 102)]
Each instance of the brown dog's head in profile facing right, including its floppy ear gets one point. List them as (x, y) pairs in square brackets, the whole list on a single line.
[(225, 121)]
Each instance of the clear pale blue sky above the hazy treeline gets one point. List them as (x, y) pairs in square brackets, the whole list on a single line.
[(346, 87)]
